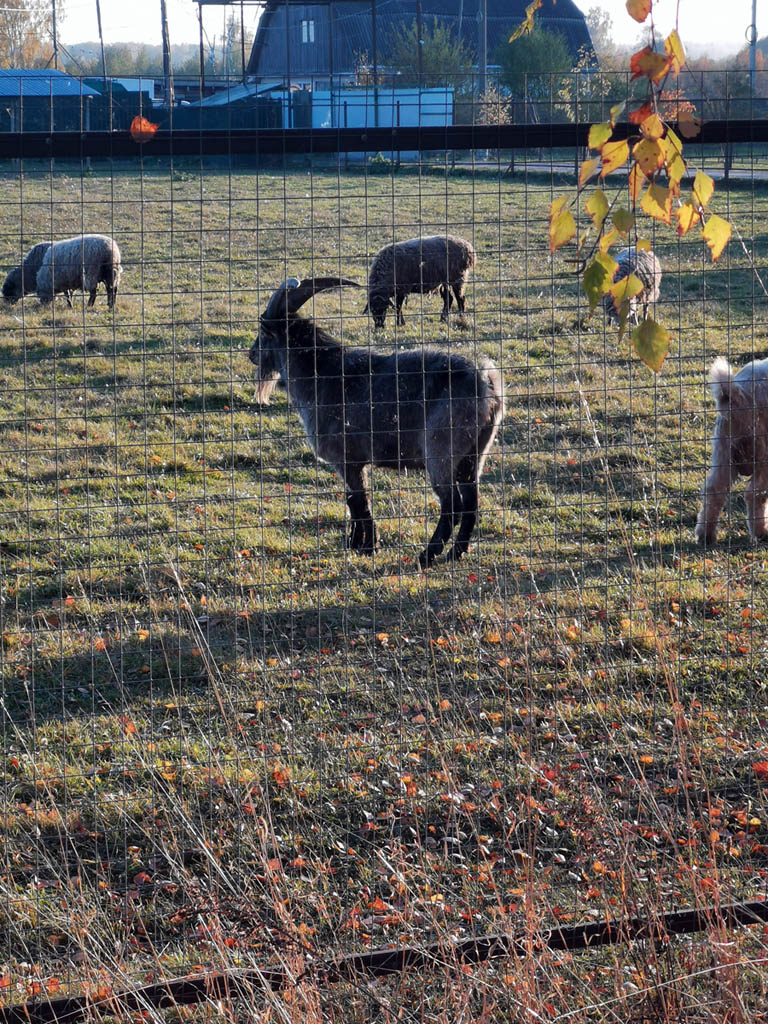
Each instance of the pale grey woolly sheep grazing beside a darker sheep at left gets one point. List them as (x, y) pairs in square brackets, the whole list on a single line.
[(81, 264)]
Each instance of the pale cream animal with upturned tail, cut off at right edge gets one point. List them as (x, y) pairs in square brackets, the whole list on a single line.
[(740, 447)]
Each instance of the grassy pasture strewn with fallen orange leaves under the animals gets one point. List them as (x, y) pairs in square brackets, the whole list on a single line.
[(227, 741)]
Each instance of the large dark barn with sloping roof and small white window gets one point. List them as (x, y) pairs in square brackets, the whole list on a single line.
[(298, 41)]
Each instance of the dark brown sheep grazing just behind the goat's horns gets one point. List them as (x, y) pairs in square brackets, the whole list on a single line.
[(439, 263)]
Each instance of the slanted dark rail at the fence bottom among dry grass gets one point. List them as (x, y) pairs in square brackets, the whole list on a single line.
[(378, 963)]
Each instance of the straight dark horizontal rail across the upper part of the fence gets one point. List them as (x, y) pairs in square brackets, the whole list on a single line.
[(277, 142)]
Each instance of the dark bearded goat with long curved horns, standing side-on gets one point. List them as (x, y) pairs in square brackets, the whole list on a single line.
[(419, 410)]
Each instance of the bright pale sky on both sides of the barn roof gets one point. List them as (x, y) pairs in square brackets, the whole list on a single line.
[(719, 24)]
